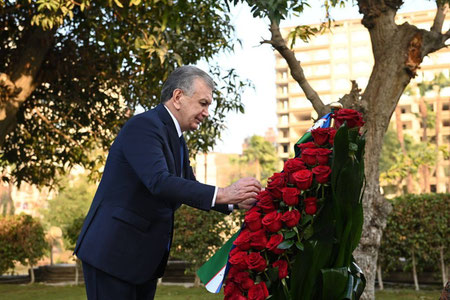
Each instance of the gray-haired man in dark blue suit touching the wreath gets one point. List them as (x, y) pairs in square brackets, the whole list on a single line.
[(125, 240)]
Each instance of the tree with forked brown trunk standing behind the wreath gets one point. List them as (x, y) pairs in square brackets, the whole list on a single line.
[(398, 50)]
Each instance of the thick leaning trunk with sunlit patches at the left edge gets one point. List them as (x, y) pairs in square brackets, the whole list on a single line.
[(18, 82)]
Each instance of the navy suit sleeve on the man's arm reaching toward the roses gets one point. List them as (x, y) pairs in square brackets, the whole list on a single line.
[(146, 148)]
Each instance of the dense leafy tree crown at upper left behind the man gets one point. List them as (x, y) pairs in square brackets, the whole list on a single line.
[(72, 72)]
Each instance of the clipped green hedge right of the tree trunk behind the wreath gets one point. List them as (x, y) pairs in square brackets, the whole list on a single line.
[(417, 223)]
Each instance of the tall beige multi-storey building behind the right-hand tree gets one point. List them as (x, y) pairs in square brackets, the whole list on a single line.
[(331, 60)]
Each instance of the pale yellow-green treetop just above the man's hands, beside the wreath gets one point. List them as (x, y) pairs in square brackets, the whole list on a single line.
[(261, 156)]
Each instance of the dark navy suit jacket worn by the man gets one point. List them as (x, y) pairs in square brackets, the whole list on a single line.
[(129, 225)]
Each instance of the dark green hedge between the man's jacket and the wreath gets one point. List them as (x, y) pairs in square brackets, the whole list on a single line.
[(198, 234)]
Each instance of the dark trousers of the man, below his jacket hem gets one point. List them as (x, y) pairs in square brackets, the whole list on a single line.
[(102, 286)]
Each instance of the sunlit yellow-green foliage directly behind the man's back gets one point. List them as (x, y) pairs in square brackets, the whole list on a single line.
[(69, 207)]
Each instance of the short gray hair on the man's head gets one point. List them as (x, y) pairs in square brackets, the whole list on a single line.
[(183, 78)]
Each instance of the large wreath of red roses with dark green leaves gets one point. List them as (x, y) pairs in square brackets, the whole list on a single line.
[(297, 241)]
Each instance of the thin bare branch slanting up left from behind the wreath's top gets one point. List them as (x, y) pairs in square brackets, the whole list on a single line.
[(297, 73)]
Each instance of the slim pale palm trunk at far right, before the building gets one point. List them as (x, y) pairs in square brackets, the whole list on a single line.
[(440, 176)]
